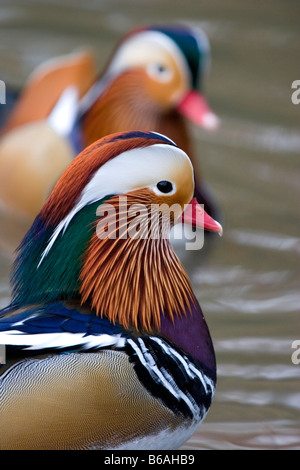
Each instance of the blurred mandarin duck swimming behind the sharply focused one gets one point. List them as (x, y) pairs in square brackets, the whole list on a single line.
[(152, 81)]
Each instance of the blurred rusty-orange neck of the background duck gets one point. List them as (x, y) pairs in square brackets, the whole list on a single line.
[(125, 105)]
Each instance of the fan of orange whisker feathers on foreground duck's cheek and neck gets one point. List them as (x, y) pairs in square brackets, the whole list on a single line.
[(134, 280)]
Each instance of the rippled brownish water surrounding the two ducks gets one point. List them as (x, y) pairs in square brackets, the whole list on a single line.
[(249, 285)]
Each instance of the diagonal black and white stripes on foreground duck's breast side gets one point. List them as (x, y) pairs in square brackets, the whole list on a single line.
[(171, 376)]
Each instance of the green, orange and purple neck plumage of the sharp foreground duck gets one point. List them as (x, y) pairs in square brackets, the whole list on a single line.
[(139, 283)]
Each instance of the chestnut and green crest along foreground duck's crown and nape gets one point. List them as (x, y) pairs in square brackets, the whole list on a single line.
[(51, 256)]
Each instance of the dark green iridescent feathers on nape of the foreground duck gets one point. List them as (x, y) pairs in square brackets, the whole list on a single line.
[(57, 277)]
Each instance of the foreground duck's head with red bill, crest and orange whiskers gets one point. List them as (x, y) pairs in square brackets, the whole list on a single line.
[(101, 239)]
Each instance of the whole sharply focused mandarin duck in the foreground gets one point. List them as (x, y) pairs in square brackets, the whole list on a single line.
[(106, 344)]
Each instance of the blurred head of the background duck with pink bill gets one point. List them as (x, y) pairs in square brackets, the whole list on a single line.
[(155, 71)]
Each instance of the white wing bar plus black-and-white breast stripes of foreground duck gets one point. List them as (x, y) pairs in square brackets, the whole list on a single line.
[(164, 370)]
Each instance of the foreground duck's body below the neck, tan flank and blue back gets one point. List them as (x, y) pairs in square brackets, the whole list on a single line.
[(76, 381)]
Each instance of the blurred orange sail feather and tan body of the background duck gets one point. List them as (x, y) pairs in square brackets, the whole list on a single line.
[(36, 144)]
